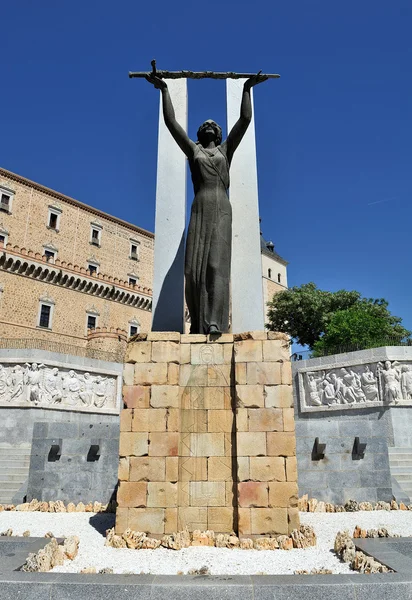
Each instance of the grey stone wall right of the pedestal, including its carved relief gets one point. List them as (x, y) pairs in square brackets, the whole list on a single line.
[(366, 395)]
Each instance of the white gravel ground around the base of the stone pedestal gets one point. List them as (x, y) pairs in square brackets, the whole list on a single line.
[(221, 561)]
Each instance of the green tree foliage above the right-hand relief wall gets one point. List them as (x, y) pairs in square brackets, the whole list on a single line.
[(324, 320)]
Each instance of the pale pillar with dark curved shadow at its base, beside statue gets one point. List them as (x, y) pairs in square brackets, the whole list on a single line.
[(170, 220)]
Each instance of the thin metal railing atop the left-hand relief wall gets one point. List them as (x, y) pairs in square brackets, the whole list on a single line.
[(61, 348)]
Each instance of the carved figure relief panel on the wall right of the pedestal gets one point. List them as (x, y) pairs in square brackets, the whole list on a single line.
[(355, 386)]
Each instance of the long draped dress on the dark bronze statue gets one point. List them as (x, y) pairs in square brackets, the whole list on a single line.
[(209, 239)]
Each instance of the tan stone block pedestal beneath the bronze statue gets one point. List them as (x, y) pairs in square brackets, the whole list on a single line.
[(207, 436)]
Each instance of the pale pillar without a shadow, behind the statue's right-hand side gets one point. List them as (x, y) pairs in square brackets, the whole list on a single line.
[(246, 270)]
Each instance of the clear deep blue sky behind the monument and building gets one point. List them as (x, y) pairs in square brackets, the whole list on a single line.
[(334, 133)]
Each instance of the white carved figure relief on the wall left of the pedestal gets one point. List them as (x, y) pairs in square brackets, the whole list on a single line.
[(47, 386)]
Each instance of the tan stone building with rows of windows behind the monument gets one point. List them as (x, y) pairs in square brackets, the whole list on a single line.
[(66, 267)]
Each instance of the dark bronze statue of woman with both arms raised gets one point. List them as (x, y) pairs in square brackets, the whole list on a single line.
[(209, 239)]
